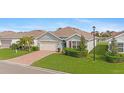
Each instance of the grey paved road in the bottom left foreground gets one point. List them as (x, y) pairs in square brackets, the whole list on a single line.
[(14, 68)]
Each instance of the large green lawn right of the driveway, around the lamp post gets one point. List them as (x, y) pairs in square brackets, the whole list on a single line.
[(69, 64)]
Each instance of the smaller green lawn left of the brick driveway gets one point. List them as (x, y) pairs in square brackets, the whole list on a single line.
[(7, 53)]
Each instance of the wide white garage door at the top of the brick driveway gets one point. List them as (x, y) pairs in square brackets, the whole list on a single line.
[(52, 46)]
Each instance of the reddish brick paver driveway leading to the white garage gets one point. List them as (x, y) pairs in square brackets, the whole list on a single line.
[(28, 59)]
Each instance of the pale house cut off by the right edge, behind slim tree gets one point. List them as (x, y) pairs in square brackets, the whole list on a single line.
[(120, 41)]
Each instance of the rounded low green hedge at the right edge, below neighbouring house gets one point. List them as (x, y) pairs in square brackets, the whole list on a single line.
[(114, 58)]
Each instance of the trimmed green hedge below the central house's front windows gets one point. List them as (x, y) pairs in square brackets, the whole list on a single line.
[(75, 52)]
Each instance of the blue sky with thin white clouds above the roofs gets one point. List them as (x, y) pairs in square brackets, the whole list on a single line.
[(51, 24)]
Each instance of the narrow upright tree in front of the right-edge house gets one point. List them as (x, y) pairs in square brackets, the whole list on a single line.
[(113, 47)]
